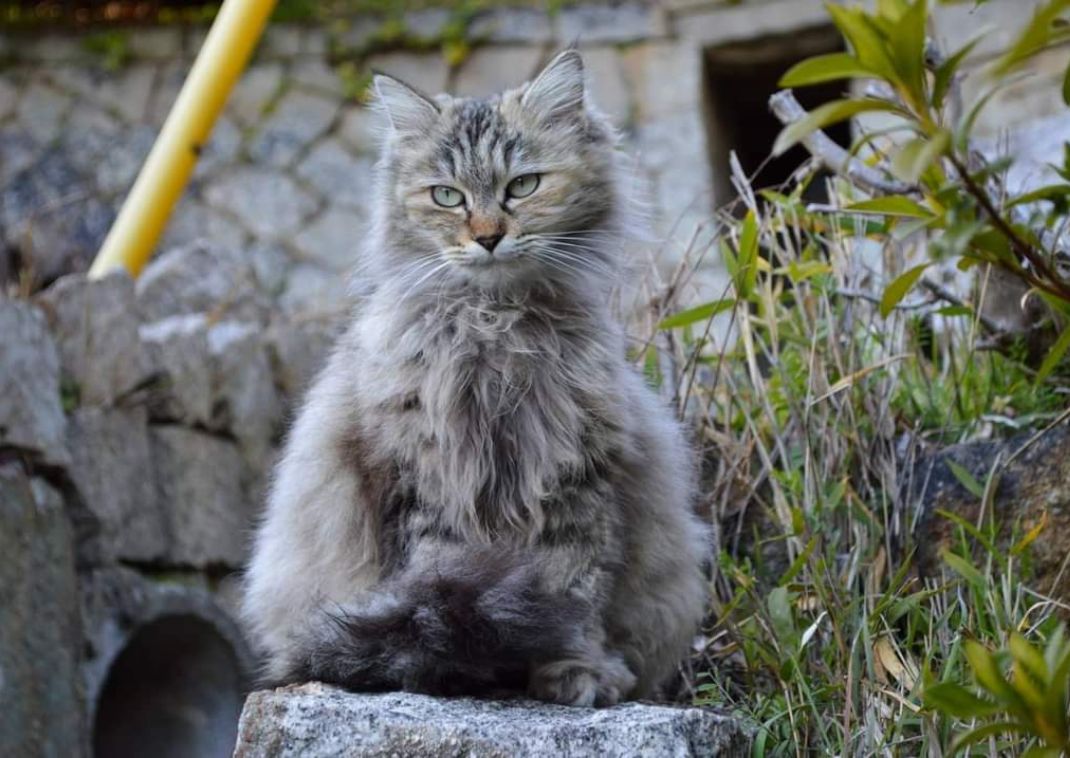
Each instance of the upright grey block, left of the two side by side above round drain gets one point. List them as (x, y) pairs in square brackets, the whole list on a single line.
[(113, 469)]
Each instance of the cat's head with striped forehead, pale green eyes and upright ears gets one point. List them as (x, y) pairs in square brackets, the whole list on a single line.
[(499, 191)]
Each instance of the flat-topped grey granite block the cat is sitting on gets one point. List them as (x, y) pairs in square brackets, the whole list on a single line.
[(315, 720)]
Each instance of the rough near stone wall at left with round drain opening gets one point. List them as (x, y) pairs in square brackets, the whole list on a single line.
[(137, 428)]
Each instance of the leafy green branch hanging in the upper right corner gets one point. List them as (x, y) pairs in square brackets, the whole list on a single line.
[(941, 188)]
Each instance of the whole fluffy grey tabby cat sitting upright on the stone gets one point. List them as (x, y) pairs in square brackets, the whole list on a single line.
[(481, 494)]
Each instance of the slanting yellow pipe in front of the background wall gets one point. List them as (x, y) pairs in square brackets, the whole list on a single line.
[(231, 42)]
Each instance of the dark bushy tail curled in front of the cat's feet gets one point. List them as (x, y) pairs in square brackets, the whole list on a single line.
[(470, 625)]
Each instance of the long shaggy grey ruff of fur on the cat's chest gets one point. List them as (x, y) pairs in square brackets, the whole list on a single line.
[(486, 411)]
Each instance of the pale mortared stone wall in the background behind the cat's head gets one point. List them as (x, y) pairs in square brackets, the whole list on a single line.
[(286, 174)]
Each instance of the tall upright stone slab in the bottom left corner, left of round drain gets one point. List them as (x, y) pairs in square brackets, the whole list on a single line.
[(41, 702)]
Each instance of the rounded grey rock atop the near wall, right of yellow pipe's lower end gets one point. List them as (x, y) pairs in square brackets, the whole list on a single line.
[(202, 278)]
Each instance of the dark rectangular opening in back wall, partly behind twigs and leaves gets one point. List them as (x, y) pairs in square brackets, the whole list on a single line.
[(740, 80)]
